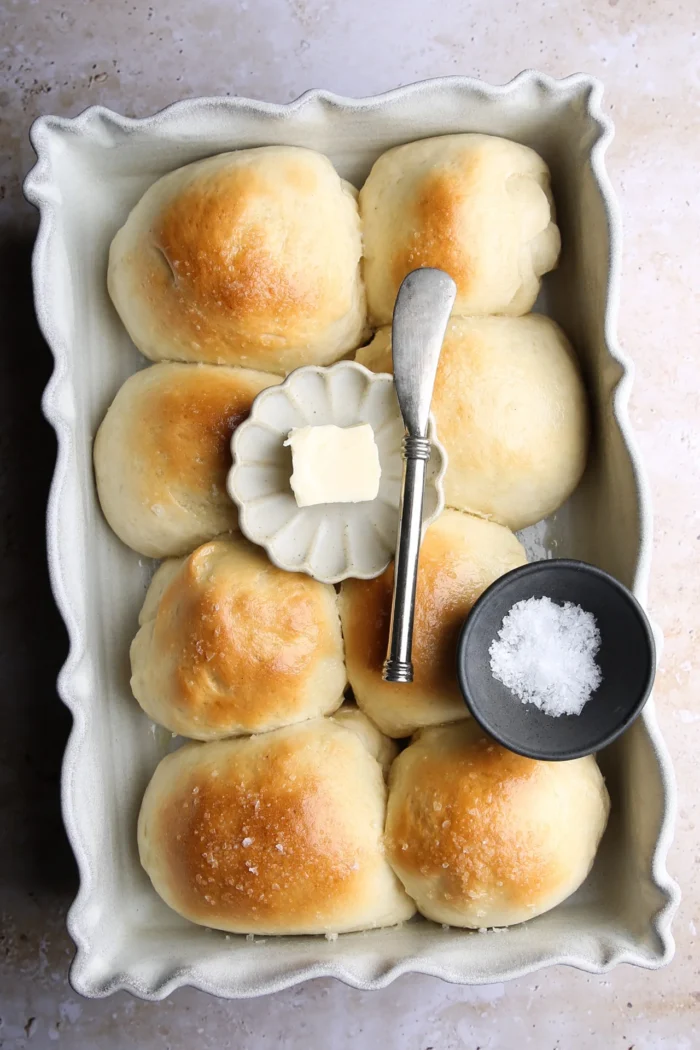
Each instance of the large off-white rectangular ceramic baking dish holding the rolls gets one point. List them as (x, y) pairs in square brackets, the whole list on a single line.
[(91, 172)]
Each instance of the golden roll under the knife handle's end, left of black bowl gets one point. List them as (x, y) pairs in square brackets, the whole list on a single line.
[(460, 557)]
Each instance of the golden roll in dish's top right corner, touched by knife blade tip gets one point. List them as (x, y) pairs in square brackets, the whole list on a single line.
[(476, 206)]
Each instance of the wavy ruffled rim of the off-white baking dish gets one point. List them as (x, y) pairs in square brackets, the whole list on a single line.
[(73, 682)]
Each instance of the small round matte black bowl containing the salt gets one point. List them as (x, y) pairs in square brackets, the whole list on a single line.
[(627, 659)]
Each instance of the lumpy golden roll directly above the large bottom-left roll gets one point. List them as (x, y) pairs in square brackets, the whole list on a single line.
[(229, 644)]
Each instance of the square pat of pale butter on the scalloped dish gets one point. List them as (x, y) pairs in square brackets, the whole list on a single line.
[(334, 465)]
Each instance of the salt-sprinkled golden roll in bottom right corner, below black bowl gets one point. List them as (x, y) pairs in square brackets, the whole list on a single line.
[(483, 837)]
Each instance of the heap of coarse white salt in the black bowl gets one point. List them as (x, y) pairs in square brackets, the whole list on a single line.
[(545, 654)]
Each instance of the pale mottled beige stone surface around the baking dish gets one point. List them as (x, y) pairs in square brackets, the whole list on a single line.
[(60, 58)]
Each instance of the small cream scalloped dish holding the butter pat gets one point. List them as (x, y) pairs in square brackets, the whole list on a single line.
[(329, 541)]
